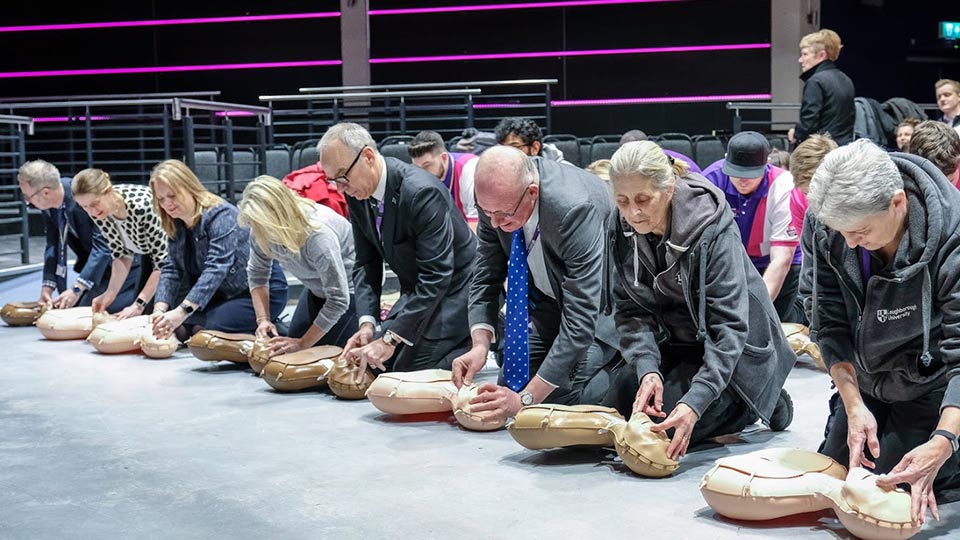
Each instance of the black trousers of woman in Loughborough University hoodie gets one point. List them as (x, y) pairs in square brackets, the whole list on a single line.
[(901, 427)]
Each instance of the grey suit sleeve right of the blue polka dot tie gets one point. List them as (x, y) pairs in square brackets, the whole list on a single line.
[(582, 250)]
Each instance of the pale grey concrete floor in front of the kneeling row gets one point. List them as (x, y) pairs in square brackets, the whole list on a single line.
[(95, 446)]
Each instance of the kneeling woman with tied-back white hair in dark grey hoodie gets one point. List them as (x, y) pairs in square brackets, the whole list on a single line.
[(693, 314)]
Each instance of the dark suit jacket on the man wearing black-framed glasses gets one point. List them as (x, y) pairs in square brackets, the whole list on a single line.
[(427, 244)]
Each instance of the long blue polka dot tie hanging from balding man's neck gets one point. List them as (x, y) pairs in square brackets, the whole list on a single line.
[(516, 351)]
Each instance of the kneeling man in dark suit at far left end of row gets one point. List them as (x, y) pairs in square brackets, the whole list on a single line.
[(68, 225)]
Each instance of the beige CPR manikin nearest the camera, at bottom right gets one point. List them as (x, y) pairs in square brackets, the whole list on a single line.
[(779, 482)]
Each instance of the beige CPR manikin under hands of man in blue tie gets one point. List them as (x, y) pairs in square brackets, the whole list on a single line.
[(427, 391)]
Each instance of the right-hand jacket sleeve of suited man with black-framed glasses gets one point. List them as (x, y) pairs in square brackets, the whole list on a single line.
[(429, 217)]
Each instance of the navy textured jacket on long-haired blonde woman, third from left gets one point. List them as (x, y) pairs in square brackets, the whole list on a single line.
[(221, 249)]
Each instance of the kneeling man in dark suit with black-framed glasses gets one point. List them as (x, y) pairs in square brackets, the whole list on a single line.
[(402, 216)]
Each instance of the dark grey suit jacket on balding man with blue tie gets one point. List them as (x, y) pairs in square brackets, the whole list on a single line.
[(573, 210)]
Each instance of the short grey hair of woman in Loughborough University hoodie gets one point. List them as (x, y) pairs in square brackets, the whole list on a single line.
[(853, 182)]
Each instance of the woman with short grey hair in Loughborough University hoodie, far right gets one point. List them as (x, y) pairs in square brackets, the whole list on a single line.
[(882, 239)]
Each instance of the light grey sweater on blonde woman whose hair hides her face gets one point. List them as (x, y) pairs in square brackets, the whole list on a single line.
[(323, 264)]
